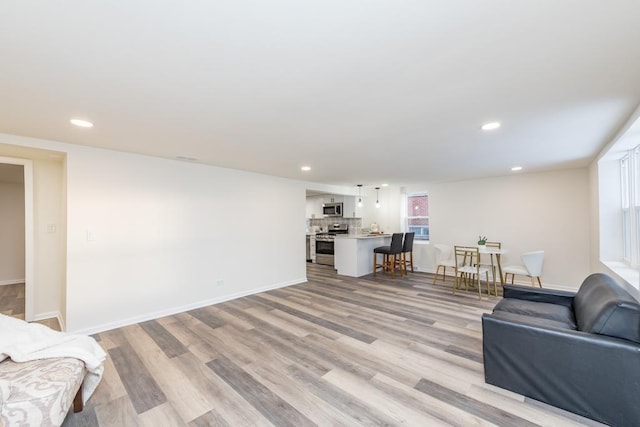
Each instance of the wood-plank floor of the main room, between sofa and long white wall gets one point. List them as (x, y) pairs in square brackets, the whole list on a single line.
[(335, 351)]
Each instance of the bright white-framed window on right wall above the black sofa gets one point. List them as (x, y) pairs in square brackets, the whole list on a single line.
[(630, 205)]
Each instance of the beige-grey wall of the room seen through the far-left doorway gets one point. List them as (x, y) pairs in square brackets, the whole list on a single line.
[(12, 259)]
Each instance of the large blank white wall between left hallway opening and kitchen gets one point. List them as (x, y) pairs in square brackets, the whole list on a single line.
[(171, 236)]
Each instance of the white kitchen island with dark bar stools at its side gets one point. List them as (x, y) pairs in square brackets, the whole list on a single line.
[(354, 253)]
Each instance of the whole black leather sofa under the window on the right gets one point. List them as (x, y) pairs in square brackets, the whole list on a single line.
[(577, 351)]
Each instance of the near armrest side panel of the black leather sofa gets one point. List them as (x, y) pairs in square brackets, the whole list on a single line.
[(592, 375)]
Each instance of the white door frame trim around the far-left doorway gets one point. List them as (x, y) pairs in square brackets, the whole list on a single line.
[(27, 166)]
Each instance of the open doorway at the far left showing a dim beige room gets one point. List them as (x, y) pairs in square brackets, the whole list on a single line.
[(13, 245)]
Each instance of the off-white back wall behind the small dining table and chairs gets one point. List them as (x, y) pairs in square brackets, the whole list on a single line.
[(548, 211)]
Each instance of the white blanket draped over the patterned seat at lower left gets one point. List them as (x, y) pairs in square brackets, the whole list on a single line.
[(22, 342)]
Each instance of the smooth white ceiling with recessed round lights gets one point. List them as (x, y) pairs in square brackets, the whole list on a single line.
[(364, 91)]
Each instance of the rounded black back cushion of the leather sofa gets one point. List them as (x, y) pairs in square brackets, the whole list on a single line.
[(602, 306)]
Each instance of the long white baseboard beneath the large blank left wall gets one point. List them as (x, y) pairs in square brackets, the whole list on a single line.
[(181, 309)]
